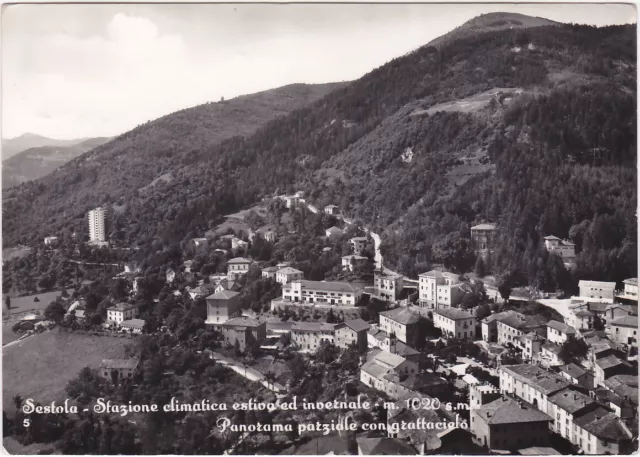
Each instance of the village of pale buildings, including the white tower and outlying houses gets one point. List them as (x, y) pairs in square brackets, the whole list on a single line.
[(541, 375)]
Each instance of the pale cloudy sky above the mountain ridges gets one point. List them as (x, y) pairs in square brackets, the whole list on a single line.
[(89, 70)]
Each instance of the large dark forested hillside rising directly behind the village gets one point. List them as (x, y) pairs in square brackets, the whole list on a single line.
[(419, 149)]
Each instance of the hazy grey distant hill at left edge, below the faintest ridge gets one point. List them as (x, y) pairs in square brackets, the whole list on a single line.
[(34, 163)]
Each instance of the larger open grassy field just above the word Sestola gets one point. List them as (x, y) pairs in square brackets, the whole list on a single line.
[(40, 366)]
